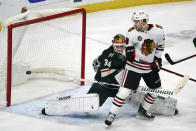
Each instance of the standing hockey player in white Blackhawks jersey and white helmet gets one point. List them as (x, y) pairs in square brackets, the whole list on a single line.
[(143, 53)]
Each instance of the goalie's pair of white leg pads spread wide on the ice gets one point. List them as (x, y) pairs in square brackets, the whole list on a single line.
[(91, 102)]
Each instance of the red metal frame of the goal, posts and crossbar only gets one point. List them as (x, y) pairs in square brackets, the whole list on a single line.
[(37, 20)]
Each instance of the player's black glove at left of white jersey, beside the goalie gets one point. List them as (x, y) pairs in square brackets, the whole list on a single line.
[(130, 53)]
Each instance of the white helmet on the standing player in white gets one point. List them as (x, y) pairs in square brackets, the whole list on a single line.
[(140, 15)]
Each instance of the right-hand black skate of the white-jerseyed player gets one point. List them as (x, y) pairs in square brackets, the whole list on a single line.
[(144, 115)]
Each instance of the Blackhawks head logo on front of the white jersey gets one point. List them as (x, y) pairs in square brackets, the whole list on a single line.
[(148, 47)]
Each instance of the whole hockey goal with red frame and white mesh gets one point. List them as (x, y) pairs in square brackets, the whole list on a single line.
[(42, 44)]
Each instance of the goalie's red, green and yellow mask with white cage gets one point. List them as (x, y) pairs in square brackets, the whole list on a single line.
[(119, 42)]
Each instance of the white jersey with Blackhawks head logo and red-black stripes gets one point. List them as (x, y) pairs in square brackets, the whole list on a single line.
[(147, 45)]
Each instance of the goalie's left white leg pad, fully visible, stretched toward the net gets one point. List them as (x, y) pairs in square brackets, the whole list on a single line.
[(82, 103)]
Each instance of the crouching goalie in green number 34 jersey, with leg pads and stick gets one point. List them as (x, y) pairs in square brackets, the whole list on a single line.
[(108, 68)]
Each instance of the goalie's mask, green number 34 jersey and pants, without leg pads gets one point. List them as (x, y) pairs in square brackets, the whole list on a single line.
[(107, 65)]
